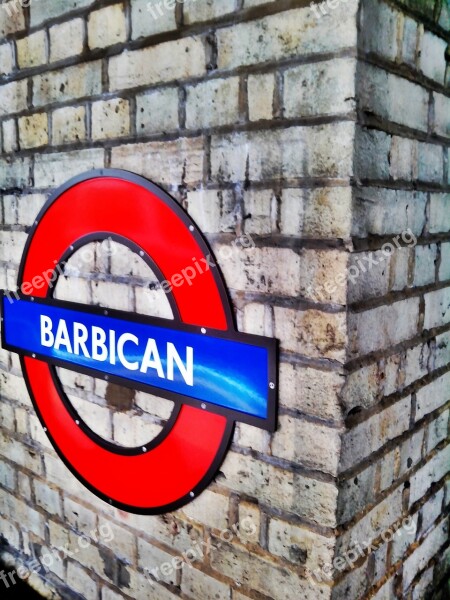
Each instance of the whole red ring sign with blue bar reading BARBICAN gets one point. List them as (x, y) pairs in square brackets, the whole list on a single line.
[(215, 375)]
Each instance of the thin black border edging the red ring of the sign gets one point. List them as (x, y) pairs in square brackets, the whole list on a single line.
[(228, 432)]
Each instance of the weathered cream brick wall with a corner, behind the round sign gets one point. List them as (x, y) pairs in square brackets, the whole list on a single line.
[(322, 139)]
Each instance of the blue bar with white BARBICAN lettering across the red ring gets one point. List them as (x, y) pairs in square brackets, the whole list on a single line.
[(224, 372)]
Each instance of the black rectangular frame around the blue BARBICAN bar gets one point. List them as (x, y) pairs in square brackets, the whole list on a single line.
[(269, 344)]
